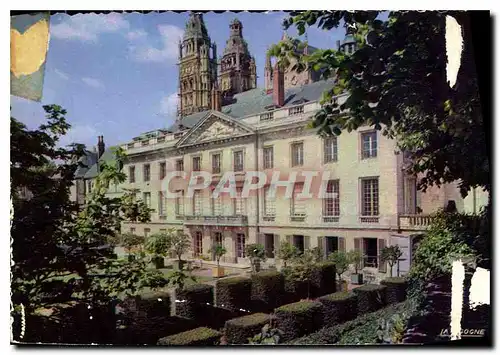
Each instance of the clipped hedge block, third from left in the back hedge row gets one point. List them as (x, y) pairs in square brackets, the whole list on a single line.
[(233, 293)]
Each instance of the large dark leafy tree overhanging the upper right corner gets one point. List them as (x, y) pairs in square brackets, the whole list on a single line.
[(396, 82)]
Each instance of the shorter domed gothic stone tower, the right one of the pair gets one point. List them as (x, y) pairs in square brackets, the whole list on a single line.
[(237, 67)]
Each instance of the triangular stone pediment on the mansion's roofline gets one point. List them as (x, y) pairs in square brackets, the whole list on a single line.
[(215, 126)]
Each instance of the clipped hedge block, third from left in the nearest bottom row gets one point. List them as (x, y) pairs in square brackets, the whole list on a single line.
[(297, 319)]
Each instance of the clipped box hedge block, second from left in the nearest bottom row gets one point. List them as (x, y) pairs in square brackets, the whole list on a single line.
[(238, 330)]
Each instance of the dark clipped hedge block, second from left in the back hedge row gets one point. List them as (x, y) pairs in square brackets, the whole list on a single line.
[(193, 300)]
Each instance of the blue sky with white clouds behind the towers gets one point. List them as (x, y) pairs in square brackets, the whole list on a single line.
[(116, 74)]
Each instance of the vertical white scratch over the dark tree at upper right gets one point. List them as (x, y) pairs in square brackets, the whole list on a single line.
[(454, 47)]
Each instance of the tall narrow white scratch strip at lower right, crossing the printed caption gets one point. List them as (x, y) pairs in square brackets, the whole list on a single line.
[(457, 294)]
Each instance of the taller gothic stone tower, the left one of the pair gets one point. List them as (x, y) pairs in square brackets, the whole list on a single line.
[(197, 67)]
